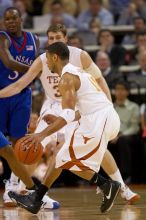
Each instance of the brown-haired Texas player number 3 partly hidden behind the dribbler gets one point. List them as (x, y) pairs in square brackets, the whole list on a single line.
[(52, 105)]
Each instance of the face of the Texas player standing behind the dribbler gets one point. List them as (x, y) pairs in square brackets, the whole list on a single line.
[(54, 37)]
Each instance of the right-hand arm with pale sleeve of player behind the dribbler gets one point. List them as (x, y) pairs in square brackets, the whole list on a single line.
[(93, 69)]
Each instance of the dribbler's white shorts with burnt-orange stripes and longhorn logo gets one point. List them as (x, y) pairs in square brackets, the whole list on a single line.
[(86, 141)]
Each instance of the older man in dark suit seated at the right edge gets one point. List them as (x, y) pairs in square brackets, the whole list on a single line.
[(138, 78)]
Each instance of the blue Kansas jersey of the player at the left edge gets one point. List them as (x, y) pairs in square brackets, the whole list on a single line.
[(23, 50)]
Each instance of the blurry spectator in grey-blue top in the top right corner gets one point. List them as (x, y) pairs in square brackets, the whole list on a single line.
[(128, 14)]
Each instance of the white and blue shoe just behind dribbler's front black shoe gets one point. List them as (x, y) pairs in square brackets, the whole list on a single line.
[(49, 203)]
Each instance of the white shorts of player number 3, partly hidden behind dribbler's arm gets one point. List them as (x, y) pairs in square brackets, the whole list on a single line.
[(53, 108)]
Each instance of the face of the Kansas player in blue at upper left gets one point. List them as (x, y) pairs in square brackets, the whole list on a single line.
[(12, 21)]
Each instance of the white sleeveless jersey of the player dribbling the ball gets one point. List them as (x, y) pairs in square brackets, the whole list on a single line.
[(90, 97)]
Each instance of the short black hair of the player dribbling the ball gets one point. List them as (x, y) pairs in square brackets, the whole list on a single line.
[(60, 49)]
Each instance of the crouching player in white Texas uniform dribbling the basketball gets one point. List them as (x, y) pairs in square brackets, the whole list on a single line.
[(85, 140)]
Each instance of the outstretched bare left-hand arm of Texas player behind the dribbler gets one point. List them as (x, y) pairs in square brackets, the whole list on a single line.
[(24, 81)]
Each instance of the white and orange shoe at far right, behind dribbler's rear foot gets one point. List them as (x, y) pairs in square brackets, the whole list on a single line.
[(129, 196)]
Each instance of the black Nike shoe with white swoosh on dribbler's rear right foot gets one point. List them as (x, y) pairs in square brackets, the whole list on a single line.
[(110, 190)]
